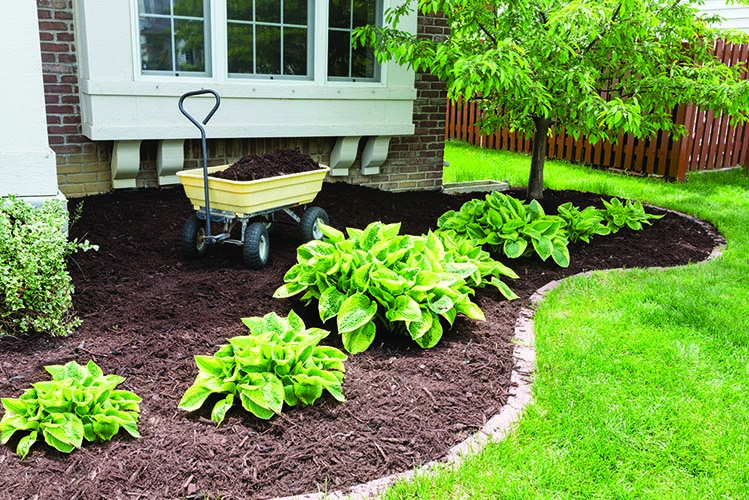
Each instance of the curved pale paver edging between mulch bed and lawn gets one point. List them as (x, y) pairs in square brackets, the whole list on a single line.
[(499, 426)]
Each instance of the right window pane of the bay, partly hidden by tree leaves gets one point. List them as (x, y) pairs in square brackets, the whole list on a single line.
[(345, 62)]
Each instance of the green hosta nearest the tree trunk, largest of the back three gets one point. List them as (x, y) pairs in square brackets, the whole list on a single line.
[(511, 227)]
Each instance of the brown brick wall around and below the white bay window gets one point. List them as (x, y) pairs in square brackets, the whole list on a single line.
[(83, 166)]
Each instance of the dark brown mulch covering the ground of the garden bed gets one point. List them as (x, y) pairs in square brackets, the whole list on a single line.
[(146, 312)]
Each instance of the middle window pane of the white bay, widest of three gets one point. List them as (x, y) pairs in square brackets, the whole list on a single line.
[(269, 37)]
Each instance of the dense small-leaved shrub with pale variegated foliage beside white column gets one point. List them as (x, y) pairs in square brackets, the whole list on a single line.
[(35, 287)]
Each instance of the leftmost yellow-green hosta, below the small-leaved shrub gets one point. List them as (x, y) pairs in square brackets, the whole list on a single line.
[(80, 402)]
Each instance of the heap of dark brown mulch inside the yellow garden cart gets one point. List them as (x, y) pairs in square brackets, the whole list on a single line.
[(279, 162)]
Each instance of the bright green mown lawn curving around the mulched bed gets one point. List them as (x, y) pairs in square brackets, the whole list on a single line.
[(643, 375)]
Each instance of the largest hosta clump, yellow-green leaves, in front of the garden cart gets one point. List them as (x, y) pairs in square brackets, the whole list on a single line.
[(376, 276)]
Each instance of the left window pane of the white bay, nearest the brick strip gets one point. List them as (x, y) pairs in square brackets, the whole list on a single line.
[(173, 36)]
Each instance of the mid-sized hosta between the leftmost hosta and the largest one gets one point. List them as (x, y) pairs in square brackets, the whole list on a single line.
[(279, 362)]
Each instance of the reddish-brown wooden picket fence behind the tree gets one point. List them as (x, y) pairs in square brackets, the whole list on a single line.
[(711, 141)]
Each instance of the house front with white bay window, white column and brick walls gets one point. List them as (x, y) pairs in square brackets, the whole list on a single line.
[(92, 104)]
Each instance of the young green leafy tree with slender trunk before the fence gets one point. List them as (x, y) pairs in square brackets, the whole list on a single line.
[(598, 67)]
